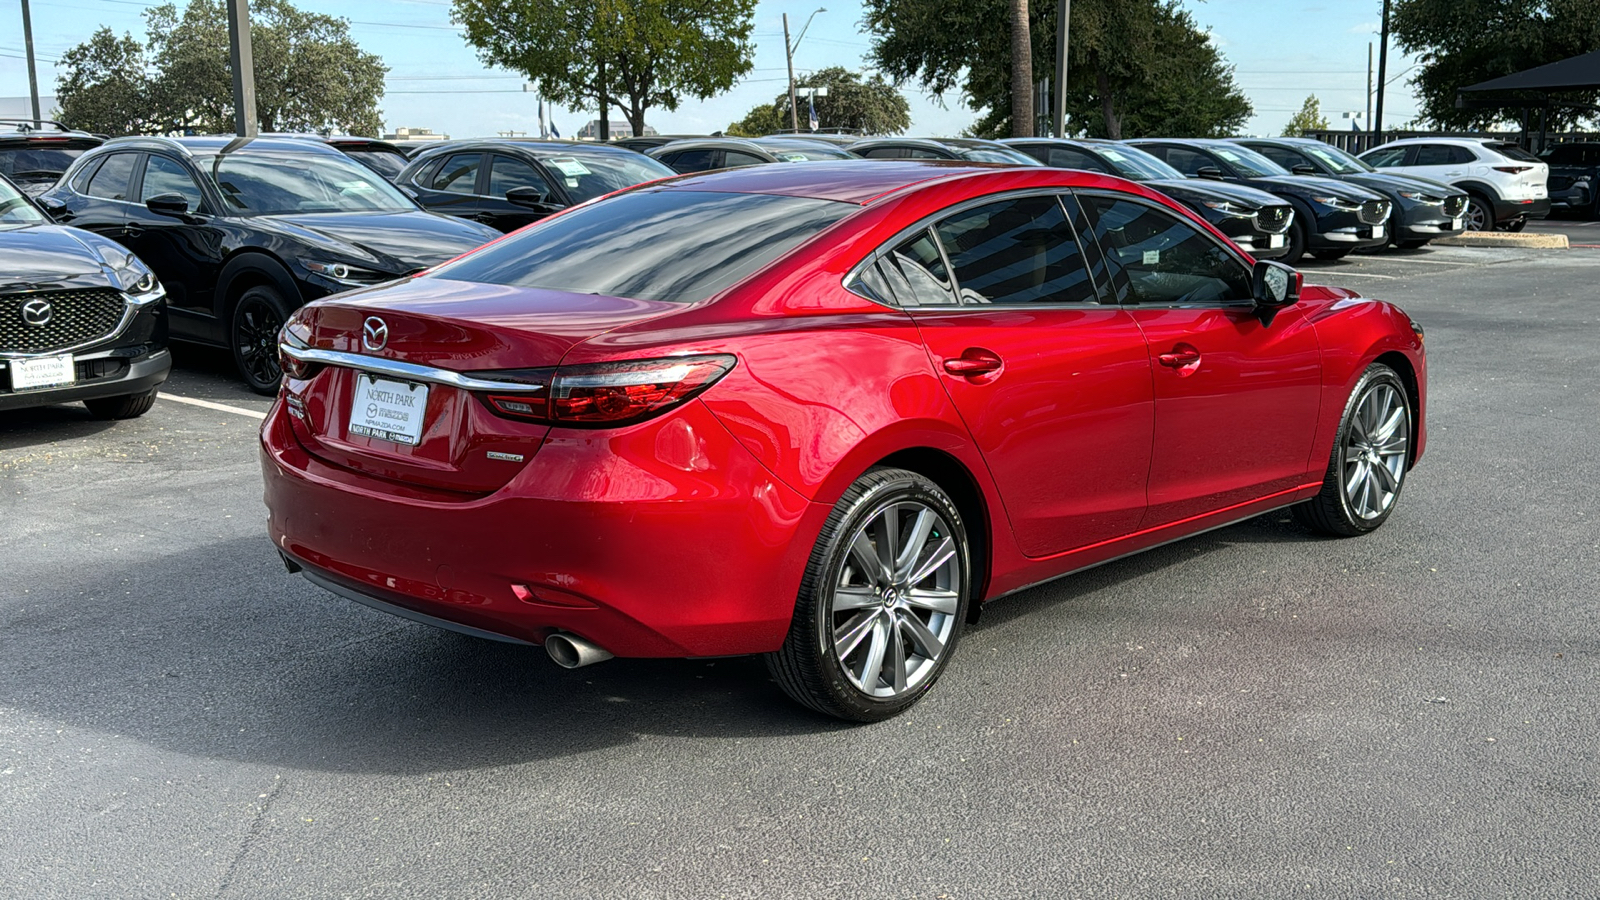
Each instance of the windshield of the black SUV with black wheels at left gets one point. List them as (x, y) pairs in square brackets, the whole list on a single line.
[(270, 183)]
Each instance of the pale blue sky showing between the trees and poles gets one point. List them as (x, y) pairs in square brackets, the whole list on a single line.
[(1282, 52)]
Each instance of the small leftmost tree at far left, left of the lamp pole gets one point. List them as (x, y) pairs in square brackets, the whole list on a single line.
[(106, 86)]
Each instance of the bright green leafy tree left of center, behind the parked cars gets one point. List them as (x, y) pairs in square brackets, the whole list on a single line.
[(638, 54)]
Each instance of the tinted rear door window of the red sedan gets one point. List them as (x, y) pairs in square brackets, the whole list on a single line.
[(1017, 252)]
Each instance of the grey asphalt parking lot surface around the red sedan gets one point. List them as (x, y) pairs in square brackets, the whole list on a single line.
[(1249, 713)]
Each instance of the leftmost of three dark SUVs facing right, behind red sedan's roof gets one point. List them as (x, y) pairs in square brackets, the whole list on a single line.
[(1255, 220)]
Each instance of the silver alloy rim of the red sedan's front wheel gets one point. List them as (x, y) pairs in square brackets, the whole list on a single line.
[(1375, 451)]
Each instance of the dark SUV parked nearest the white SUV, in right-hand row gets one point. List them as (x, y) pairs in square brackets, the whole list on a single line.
[(1423, 209)]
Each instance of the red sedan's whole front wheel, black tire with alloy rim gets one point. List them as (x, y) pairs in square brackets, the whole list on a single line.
[(1334, 512)]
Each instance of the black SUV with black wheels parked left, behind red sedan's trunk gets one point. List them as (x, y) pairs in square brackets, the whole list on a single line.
[(242, 231)]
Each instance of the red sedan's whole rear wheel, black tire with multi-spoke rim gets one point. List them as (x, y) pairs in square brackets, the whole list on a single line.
[(810, 667)]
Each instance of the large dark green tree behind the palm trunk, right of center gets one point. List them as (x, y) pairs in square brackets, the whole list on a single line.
[(1137, 68)]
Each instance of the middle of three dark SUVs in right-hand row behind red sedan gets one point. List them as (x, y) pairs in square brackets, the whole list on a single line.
[(1332, 219)]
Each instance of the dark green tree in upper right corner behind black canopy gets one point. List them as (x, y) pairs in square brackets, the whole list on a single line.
[(1463, 44)]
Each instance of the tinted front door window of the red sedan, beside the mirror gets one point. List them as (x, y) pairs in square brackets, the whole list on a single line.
[(1162, 259)]
